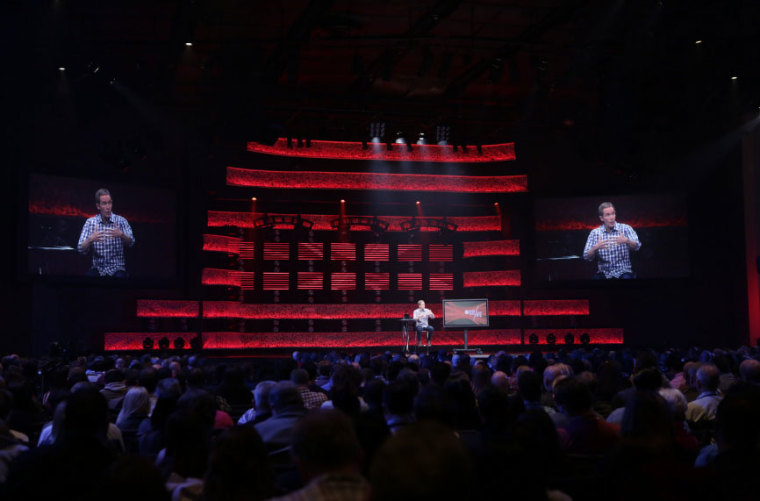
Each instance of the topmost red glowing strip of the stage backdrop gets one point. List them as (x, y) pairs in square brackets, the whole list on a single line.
[(351, 150)]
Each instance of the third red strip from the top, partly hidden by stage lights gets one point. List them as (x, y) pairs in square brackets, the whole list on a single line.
[(217, 219)]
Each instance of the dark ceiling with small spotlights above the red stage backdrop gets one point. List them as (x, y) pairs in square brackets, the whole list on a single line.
[(615, 84)]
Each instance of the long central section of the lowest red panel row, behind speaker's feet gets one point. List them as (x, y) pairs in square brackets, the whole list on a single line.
[(316, 340)]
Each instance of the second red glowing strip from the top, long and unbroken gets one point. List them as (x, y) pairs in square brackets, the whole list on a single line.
[(367, 181)]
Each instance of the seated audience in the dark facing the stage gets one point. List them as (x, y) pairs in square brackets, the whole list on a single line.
[(578, 423)]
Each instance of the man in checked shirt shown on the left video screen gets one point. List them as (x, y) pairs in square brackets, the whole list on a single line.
[(106, 235)]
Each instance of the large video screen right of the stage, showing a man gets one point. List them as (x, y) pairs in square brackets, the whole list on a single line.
[(607, 238)]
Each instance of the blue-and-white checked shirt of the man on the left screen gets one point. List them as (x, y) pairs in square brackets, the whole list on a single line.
[(108, 254)]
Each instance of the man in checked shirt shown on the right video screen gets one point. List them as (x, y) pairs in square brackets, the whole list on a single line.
[(611, 245)]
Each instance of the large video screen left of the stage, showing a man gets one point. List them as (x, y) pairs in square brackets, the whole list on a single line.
[(131, 236)]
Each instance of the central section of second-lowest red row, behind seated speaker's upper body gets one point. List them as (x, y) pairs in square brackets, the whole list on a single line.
[(234, 309)]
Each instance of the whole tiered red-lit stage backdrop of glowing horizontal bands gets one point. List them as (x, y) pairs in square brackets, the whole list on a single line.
[(311, 280)]
